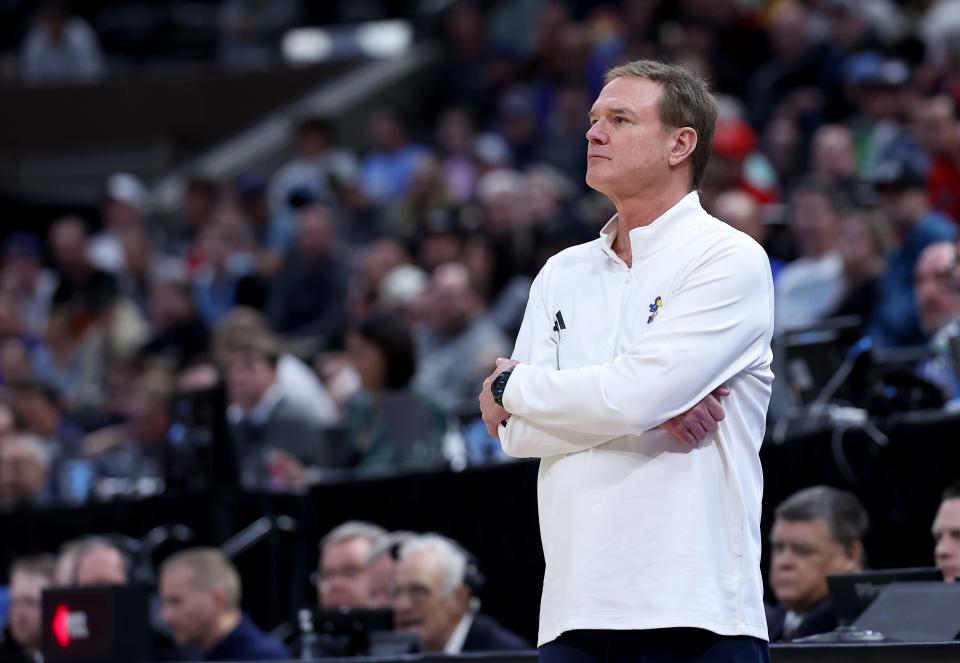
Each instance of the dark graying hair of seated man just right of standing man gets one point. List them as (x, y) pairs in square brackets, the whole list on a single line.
[(844, 514)]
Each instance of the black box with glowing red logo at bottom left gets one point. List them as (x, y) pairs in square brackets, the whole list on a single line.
[(96, 625)]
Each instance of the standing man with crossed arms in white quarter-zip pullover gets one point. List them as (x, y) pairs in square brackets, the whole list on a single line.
[(652, 545)]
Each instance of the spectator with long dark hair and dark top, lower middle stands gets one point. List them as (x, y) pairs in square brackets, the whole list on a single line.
[(390, 425)]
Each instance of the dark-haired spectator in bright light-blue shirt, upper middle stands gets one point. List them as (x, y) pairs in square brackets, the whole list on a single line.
[(387, 170)]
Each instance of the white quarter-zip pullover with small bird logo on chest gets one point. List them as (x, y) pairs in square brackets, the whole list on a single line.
[(640, 531)]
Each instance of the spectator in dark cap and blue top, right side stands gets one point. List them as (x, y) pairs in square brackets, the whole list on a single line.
[(903, 200)]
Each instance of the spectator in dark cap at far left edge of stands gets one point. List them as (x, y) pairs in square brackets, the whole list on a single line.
[(23, 275)]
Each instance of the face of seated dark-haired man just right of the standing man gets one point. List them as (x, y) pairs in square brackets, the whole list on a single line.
[(803, 554)]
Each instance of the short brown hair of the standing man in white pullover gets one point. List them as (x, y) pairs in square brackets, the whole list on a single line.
[(685, 102)]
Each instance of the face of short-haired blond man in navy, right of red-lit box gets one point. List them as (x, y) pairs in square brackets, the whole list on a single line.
[(190, 613)]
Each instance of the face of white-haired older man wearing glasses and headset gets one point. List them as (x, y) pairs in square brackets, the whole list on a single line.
[(422, 604)]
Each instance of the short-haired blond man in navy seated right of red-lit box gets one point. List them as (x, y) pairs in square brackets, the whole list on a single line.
[(200, 593)]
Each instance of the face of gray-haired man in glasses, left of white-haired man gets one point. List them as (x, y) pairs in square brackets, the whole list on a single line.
[(344, 579)]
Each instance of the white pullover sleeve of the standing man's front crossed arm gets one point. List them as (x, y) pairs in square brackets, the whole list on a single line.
[(716, 324)]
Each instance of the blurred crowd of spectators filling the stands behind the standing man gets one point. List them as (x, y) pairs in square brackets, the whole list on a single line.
[(340, 313)]
